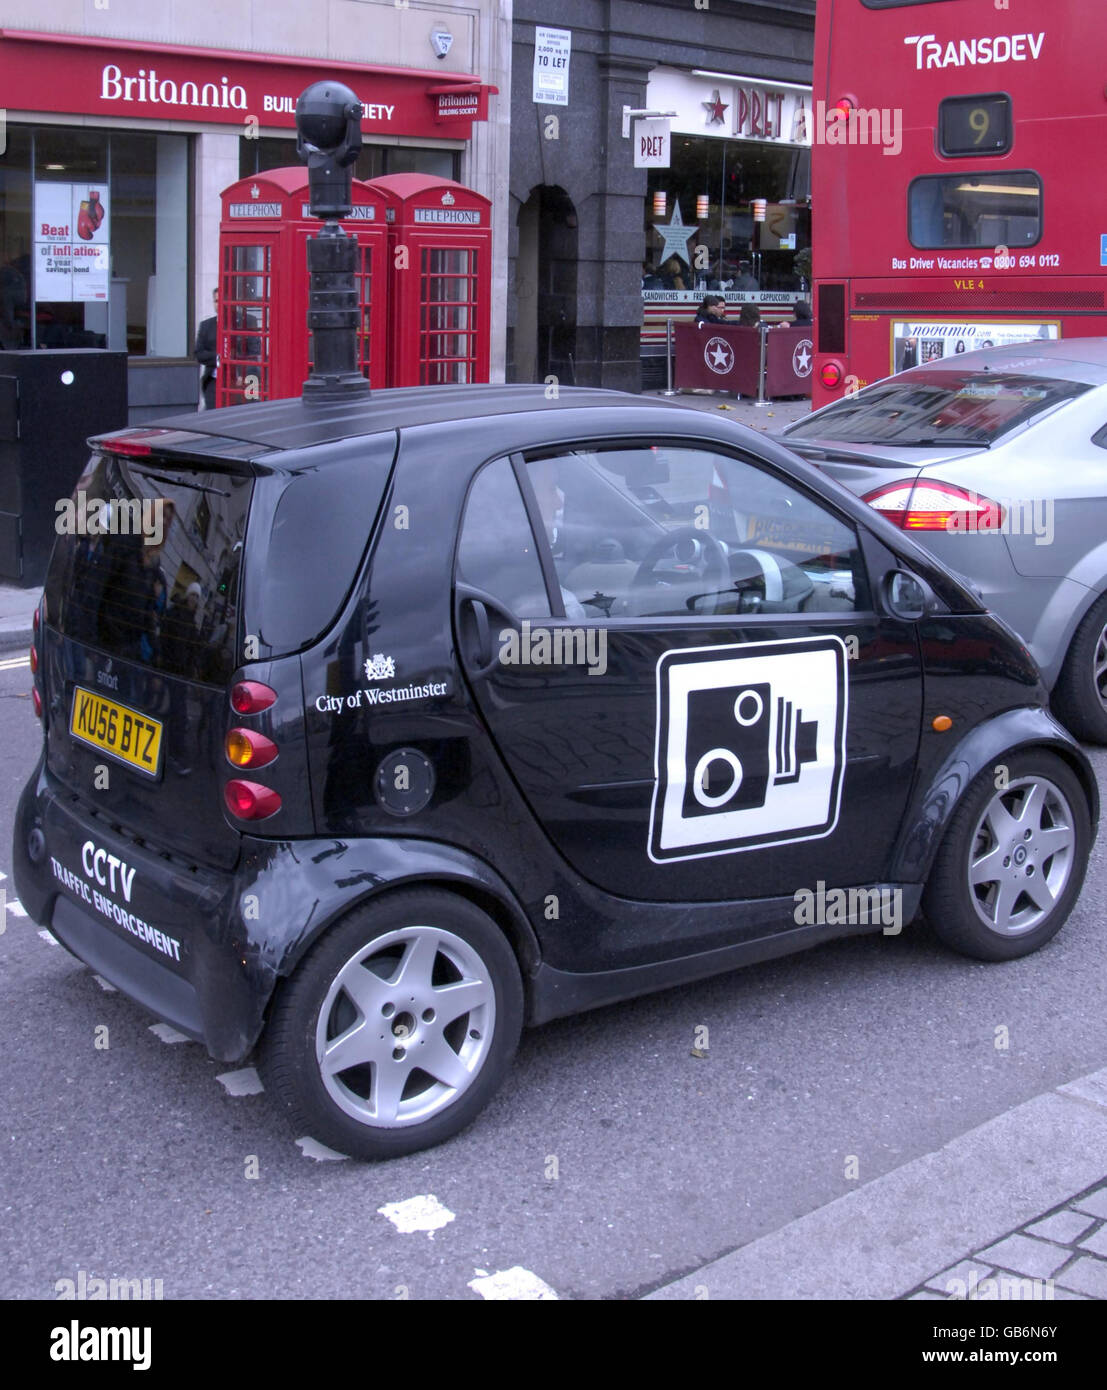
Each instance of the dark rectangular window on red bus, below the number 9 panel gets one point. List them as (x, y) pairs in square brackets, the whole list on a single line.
[(960, 211)]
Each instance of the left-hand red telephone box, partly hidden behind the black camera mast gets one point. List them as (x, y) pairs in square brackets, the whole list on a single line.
[(264, 341)]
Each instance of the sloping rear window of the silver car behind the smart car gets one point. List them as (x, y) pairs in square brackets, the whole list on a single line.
[(939, 408)]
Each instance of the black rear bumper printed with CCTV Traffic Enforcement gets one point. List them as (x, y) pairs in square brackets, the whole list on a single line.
[(166, 933)]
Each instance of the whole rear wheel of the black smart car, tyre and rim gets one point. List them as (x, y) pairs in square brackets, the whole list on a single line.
[(397, 1028)]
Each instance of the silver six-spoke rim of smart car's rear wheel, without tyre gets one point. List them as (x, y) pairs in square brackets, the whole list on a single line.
[(405, 1028)]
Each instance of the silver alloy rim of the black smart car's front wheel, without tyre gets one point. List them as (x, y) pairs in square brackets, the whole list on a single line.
[(1023, 856)]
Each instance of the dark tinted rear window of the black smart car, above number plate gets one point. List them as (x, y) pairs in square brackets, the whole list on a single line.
[(147, 565)]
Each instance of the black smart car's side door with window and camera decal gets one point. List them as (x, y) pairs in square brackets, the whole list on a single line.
[(678, 657)]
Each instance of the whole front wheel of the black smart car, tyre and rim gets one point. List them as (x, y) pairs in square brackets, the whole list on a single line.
[(1013, 860)]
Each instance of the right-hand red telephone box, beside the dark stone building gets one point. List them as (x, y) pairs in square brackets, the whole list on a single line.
[(440, 258)]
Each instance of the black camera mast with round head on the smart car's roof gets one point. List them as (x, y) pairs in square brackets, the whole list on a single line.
[(329, 140)]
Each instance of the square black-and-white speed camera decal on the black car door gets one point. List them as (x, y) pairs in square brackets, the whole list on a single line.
[(750, 747)]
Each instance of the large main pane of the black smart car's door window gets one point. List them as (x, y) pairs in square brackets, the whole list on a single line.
[(658, 532)]
